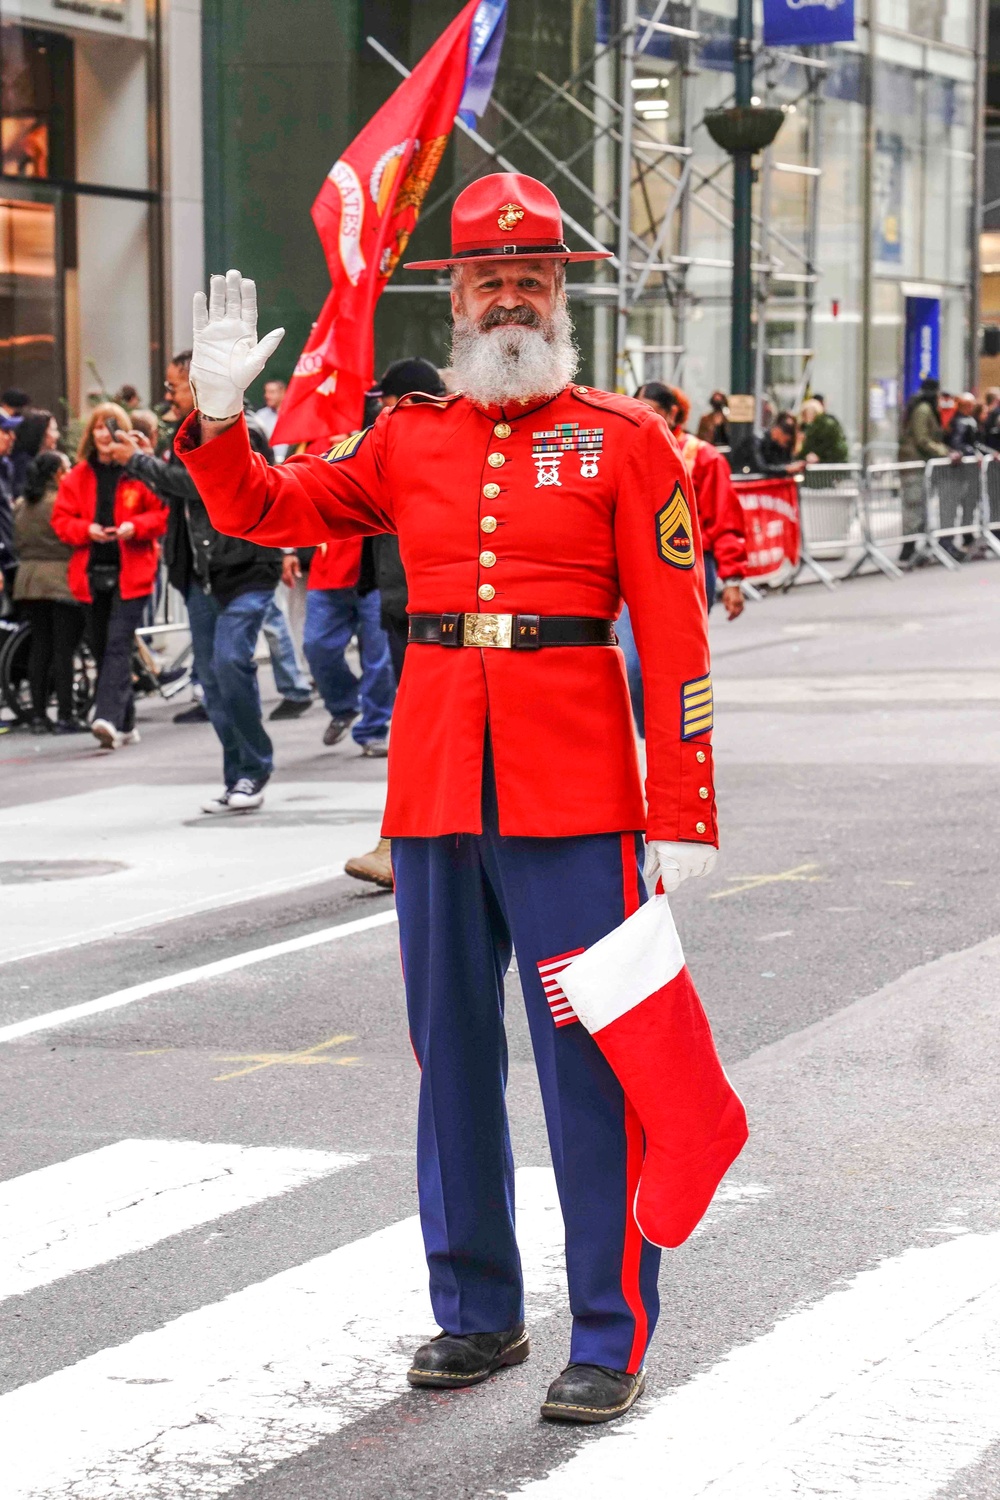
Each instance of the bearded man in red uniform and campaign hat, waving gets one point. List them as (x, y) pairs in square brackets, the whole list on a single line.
[(525, 509)]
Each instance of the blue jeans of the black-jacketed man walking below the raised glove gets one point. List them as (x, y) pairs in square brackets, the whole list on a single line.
[(224, 643)]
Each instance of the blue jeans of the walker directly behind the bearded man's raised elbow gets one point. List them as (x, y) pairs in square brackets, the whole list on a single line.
[(334, 616)]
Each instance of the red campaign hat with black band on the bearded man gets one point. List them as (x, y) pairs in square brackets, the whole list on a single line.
[(507, 215)]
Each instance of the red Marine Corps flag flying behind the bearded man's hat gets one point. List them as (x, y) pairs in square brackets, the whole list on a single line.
[(368, 209)]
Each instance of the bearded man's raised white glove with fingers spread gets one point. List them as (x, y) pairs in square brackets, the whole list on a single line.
[(226, 355)]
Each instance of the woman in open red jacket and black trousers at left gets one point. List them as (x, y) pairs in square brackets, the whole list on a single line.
[(113, 524)]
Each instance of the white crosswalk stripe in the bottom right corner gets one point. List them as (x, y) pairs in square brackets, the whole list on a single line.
[(882, 1391)]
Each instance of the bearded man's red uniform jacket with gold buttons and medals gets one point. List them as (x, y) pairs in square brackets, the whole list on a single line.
[(552, 509)]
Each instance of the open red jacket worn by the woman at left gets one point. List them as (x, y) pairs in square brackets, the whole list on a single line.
[(74, 514)]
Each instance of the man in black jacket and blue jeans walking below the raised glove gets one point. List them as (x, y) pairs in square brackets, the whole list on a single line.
[(229, 586)]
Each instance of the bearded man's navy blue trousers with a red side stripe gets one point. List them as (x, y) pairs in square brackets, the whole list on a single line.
[(463, 904)]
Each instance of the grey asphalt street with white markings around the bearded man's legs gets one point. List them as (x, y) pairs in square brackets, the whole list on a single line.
[(211, 1276)]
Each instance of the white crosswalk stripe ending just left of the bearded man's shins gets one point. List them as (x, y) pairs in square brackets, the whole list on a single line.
[(112, 1202)]
